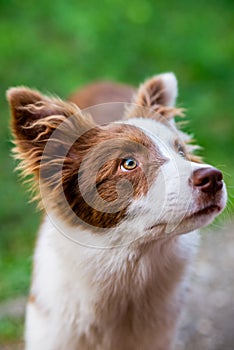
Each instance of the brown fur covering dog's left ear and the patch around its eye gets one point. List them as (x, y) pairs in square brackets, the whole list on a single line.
[(59, 163)]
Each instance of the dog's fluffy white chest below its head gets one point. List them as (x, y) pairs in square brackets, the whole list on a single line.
[(97, 299)]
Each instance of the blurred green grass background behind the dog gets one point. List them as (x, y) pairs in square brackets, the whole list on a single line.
[(58, 46)]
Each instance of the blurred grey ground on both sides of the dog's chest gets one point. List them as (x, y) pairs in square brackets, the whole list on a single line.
[(208, 318)]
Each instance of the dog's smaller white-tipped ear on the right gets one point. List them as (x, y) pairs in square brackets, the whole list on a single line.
[(156, 95)]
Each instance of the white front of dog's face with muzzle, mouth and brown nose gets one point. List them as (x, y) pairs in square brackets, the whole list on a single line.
[(185, 194)]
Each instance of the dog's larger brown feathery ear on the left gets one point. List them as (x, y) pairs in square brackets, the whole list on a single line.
[(34, 119)]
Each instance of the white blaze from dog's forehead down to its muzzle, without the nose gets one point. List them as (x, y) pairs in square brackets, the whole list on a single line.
[(169, 196)]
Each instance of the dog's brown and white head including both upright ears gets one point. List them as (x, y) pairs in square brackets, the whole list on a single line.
[(135, 177)]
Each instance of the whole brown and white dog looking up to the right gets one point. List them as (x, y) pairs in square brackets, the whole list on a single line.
[(123, 201)]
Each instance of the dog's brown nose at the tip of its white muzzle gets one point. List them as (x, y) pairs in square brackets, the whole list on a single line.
[(208, 180)]
